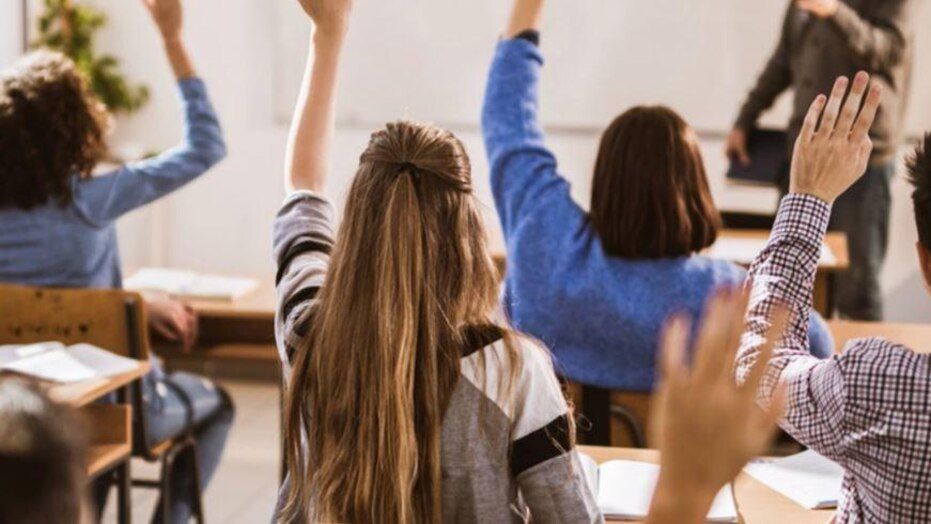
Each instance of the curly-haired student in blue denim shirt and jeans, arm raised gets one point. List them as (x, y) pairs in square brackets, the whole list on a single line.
[(57, 220)]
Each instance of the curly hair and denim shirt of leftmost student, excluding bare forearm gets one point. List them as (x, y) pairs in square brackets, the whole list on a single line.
[(57, 222)]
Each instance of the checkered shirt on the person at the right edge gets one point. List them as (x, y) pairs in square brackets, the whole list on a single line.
[(869, 408)]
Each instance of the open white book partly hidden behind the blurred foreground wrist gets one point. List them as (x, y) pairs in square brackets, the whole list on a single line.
[(623, 490)]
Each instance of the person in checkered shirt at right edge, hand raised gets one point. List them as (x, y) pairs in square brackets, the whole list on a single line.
[(868, 409)]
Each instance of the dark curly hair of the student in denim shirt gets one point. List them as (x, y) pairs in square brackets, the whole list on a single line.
[(51, 128)]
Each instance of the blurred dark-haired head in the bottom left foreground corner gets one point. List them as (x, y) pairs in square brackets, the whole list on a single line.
[(42, 458)]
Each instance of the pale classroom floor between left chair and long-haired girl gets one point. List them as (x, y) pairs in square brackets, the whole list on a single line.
[(245, 487)]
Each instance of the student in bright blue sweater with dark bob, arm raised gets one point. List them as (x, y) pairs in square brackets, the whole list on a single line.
[(596, 286)]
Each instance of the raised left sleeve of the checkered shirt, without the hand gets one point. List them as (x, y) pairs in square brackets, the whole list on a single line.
[(784, 273)]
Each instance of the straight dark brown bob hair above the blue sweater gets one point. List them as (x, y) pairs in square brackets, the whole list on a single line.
[(650, 196)]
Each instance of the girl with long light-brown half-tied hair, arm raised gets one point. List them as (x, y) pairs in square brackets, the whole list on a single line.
[(407, 400)]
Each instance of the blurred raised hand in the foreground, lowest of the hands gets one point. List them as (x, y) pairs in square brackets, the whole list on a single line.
[(706, 426)]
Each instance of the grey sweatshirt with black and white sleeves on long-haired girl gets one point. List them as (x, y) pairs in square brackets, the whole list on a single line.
[(518, 465)]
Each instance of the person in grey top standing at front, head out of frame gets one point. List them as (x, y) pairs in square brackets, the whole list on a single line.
[(822, 40)]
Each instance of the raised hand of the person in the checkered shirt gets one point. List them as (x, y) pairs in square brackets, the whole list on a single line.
[(830, 158)]
